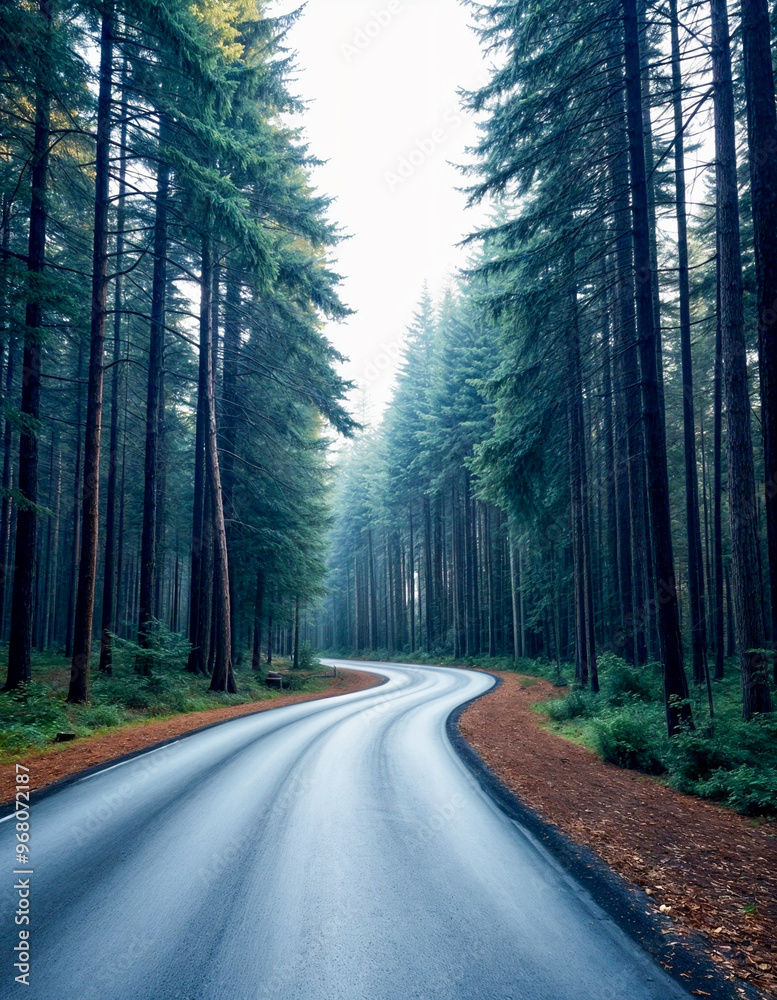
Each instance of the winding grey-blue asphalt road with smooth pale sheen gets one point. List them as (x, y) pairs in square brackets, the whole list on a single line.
[(332, 850)]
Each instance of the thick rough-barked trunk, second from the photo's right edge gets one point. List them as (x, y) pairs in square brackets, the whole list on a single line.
[(746, 576)]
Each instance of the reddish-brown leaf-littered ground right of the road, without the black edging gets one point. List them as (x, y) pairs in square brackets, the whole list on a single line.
[(712, 870)]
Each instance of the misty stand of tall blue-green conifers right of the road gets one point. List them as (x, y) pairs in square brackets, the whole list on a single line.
[(581, 453)]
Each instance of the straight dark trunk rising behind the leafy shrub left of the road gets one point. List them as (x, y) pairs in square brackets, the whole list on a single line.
[(153, 401)]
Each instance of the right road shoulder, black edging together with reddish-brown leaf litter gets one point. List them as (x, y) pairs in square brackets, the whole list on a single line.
[(634, 844)]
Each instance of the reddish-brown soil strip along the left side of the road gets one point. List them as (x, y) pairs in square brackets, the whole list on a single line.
[(52, 765)]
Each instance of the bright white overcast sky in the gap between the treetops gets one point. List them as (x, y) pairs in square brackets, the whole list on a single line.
[(381, 79)]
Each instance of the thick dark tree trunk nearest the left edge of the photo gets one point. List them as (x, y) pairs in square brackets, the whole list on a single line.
[(20, 640)]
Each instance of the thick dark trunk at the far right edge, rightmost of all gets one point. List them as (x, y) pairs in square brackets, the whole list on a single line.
[(762, 143)]
